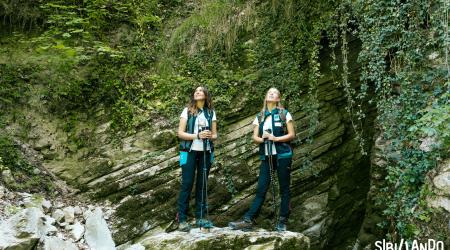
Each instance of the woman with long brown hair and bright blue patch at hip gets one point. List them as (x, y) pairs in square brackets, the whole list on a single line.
[(197, 130)]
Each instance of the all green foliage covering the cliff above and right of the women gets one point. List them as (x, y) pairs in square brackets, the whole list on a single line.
[(140, 60)]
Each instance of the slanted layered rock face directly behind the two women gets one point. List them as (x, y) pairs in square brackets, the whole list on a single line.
[(141, 176)]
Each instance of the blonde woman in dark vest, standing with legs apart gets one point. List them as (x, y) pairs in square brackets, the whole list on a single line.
[(273, 128)]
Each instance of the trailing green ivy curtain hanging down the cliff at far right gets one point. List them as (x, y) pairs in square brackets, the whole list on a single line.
[(398, 39)]
